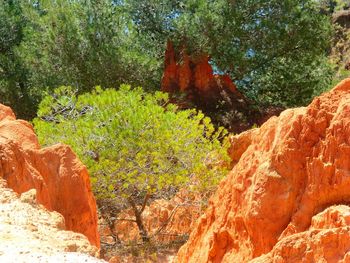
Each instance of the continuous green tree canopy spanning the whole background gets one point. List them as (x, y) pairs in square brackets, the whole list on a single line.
[(275, 51)]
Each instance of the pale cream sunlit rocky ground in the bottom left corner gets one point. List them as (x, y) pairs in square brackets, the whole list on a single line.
[(30, 233)]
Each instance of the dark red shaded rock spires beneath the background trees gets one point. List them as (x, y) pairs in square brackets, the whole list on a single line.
[(191, 82)]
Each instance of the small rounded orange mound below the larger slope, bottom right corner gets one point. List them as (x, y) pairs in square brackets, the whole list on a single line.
[(326, 240)]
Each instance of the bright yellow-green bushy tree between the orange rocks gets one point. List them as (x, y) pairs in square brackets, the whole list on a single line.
[(136, 145)]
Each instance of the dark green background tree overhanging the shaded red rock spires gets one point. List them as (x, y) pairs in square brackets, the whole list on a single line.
[(275, 51)]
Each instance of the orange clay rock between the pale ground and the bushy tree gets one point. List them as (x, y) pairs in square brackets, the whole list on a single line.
[(60, 179)]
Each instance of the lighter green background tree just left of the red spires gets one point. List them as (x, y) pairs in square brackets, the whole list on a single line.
[(84, 43)]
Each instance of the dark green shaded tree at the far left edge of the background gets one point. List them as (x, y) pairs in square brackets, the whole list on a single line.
[(14, 89)]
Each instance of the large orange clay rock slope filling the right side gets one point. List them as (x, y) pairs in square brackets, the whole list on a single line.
[(281, 197)]
